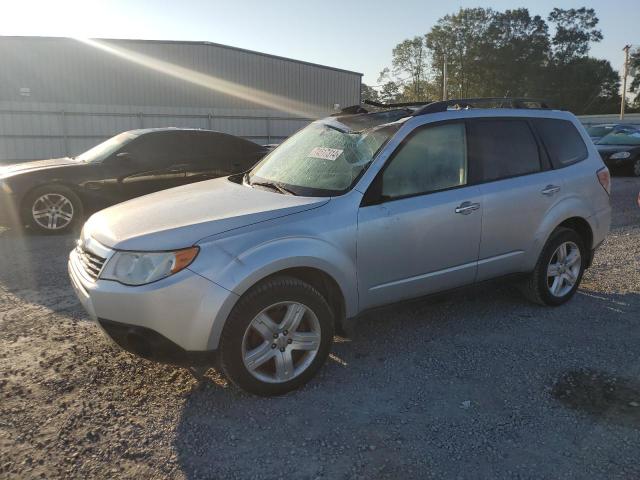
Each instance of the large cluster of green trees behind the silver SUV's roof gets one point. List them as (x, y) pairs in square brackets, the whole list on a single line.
[(511, 53)]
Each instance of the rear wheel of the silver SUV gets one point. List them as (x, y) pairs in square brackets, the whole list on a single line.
[(544, 289)]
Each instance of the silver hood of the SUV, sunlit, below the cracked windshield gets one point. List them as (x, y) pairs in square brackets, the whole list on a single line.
[(180, 217)]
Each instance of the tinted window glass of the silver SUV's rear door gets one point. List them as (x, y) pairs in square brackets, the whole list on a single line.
[(503, 148)]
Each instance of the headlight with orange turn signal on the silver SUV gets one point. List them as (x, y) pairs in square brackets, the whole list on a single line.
[(139, 268)]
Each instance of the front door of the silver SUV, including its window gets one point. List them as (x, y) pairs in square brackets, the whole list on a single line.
[(423, 234)]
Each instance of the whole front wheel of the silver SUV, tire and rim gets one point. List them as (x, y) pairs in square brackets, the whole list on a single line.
[(291, 359)]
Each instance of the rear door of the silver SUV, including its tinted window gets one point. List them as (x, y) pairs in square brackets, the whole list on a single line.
[(518, 188)]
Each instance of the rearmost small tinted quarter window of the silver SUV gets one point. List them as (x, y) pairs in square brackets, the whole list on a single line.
[(563, 142)]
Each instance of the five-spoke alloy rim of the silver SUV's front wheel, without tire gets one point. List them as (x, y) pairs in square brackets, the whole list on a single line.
[(281, 342)]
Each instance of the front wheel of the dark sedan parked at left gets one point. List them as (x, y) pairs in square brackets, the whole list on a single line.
[(60, 209)]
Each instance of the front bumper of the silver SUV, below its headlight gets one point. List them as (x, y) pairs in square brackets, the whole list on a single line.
[(184, 310)]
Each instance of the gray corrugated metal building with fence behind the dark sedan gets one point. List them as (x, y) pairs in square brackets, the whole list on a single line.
[(60, 96)]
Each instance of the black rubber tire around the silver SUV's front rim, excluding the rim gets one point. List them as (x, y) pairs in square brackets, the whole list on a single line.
[(278, 289)]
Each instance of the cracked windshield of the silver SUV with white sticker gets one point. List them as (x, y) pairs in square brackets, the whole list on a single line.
[(321, 160)]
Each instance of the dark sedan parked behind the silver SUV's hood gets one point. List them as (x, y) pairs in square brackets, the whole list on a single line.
[(53, 195)]
